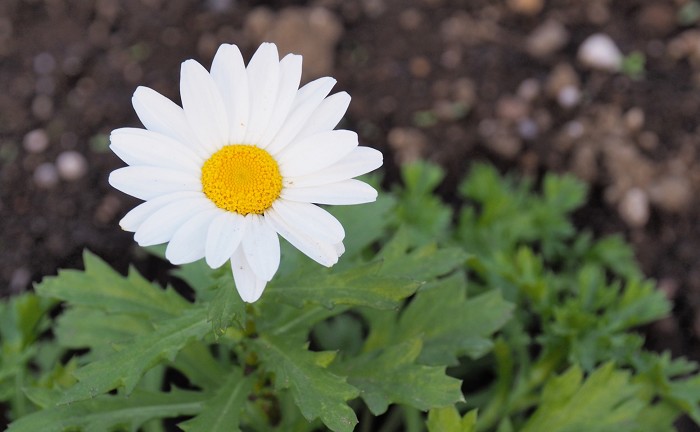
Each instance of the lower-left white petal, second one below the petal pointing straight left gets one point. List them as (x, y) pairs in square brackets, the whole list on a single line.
[(160, 226)]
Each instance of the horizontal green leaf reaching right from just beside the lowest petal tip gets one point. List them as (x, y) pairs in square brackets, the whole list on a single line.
[(363, 285)]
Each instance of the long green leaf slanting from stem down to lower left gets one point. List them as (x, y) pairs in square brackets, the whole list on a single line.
[(124, 368)]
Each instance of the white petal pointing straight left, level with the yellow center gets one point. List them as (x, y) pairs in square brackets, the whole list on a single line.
[(149, 182)]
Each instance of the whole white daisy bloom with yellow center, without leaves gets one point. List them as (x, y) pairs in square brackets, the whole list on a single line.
[(247, 157)]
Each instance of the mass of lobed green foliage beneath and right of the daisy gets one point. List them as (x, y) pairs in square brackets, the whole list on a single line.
[(499, 307)]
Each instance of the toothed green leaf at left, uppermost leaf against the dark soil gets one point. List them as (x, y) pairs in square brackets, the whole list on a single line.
[(100, 287)]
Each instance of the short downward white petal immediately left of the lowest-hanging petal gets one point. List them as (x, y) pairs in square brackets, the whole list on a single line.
[(224, 236)]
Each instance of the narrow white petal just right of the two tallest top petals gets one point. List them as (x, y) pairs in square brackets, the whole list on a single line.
[(290, 76)]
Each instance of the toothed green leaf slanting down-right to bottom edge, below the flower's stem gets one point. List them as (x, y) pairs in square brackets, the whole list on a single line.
[(317, 392)]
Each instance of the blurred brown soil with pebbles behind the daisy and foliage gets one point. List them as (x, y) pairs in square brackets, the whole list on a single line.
[(606, 89)]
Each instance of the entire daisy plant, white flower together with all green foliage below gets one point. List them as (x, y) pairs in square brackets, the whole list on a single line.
[(492, 315)]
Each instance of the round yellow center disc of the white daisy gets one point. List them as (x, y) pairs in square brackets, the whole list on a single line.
[(242, 179)]
